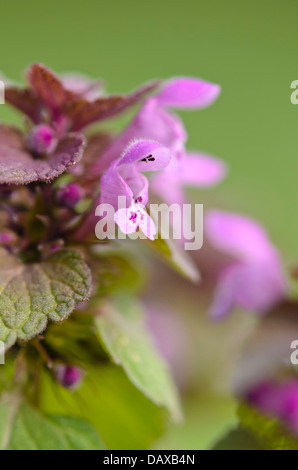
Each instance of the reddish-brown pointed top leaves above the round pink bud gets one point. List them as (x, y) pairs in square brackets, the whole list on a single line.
[(67, 106)]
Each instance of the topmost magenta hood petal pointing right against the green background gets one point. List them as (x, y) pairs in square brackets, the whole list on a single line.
[(188, 93)]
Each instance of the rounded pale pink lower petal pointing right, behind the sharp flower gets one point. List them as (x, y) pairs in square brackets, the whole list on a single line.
[(202, 170)]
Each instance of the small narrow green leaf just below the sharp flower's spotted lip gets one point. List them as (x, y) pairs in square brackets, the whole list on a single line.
[(174, 255)]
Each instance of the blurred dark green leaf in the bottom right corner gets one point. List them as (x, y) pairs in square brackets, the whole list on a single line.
[(268, 431)]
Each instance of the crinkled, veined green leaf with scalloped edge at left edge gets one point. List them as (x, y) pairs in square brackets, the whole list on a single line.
[(32, 294)]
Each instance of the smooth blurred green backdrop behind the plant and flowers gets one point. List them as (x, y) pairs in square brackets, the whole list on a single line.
[(250, 49)]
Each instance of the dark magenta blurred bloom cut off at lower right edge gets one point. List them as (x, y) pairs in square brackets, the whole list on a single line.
[(278, 400)]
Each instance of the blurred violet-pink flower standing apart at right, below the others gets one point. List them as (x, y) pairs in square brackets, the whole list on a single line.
[(253, 279)]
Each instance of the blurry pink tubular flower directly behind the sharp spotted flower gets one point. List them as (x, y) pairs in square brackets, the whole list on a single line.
[(155, 122)]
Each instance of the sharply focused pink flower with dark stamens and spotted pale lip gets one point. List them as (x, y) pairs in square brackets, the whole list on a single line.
[(124, 178)]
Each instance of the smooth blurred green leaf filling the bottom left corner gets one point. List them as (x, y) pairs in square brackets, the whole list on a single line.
[(24, 428)]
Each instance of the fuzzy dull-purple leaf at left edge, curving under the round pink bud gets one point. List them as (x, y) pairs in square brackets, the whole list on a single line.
[(18, 165)]
